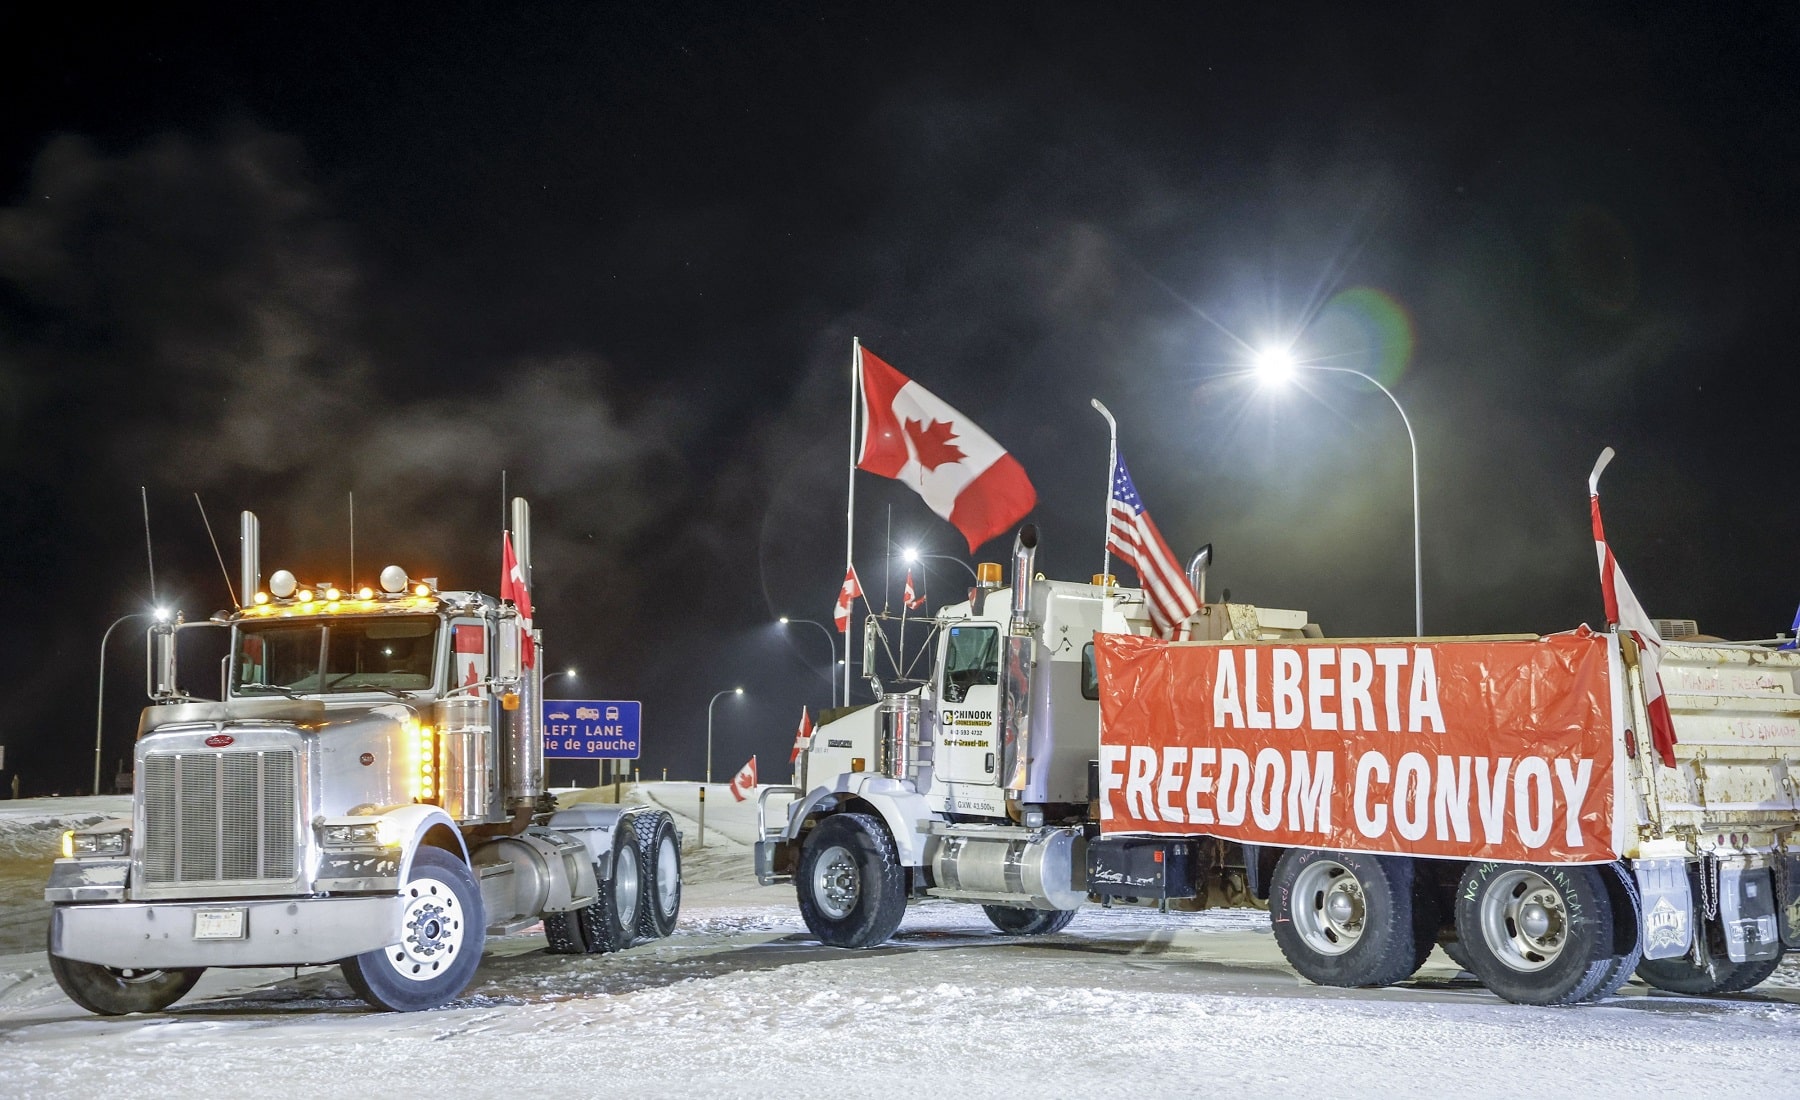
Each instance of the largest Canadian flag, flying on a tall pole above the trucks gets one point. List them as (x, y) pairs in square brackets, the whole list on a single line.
[(967, 478)]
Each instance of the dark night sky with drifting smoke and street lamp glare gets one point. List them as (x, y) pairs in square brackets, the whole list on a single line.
[(276, 257)]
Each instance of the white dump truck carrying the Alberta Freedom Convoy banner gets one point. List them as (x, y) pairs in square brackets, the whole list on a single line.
[(1376, 797)]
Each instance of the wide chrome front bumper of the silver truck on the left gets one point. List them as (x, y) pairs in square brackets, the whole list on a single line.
[(276, 933)]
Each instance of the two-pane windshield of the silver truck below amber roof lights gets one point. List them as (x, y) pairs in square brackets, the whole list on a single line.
[(337, 656)]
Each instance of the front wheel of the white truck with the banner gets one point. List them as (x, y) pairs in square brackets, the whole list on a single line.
[(850, 883)]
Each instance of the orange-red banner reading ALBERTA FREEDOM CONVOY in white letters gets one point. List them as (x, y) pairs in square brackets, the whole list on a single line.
[(1470, 750)]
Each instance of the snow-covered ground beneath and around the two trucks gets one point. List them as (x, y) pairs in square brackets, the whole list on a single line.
[(744, 1004)]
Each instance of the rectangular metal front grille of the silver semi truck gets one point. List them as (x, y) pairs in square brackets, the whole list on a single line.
[(219, 818)]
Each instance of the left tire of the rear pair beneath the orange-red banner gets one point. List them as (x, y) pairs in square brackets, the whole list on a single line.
[(1345, 917)]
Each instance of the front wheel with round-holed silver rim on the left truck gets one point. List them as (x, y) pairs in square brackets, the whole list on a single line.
[(442, 933)]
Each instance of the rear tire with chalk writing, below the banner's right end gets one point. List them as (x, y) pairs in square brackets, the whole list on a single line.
[(1536, 935)]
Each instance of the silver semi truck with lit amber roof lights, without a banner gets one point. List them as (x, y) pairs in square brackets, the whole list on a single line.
[(366, 791)]
